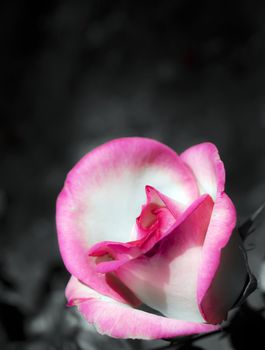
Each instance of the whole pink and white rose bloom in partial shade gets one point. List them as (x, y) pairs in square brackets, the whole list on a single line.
[(138, 224)]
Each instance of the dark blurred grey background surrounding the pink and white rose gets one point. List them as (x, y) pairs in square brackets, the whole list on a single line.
[(74, 74)]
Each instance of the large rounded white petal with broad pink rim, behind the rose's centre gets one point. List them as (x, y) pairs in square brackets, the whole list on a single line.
[(103, 194)]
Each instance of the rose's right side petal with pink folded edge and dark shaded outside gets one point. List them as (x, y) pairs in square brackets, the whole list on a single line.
[(215, 302)]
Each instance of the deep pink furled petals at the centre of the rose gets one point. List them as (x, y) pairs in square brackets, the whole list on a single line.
[(151, 225)]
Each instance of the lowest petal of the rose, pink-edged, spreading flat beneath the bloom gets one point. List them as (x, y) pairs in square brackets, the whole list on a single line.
[(122, 321)]
